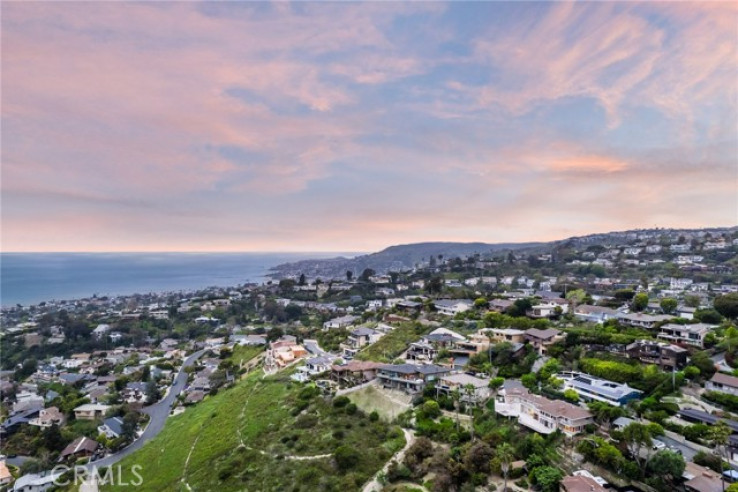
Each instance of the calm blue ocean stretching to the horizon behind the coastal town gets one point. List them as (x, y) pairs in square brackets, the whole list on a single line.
[(30, 278)]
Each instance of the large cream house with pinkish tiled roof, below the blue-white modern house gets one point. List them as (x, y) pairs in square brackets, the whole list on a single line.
[(541, 414)]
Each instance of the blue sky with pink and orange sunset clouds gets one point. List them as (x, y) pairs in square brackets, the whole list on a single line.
[(316, 126)]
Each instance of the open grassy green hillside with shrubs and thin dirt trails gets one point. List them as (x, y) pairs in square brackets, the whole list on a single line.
[(248, 438)]
